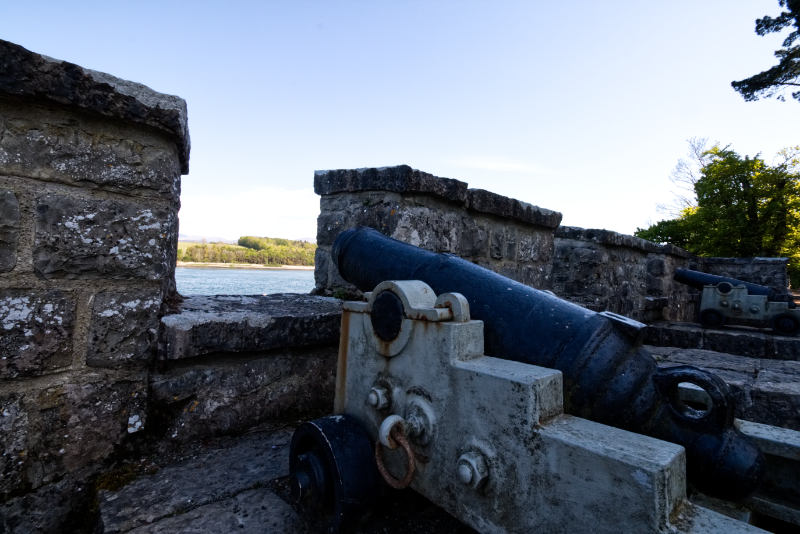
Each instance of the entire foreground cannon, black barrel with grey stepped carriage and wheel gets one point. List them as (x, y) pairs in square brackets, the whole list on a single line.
[(510, 408)]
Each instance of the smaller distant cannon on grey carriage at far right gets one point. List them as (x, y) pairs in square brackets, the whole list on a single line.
[(728, 298)]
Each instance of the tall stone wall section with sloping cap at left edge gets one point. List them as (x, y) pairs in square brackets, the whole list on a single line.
[(90, 171)]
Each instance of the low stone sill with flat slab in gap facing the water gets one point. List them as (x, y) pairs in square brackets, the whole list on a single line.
[(229, 363)]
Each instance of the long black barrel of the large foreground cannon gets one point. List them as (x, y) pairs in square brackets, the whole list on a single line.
[(608, 376)]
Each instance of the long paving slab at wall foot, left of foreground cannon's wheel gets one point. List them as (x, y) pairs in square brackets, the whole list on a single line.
[(212, 477)]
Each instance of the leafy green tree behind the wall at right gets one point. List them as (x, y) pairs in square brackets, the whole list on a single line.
[(744, 208)]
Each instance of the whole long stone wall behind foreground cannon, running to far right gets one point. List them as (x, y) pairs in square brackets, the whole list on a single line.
[(597, 269)]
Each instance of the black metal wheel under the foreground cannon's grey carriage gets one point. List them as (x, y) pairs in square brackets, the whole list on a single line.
[(333, 476)]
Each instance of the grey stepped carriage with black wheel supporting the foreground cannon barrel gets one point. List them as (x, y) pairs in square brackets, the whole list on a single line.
[(420, 405)]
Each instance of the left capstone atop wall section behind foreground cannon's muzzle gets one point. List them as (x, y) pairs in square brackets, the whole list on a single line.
[(402, 179)]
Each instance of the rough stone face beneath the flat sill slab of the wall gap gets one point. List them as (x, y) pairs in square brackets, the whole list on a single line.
[(232, 394)]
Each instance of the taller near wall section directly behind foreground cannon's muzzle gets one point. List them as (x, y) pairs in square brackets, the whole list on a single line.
[(505, 235)]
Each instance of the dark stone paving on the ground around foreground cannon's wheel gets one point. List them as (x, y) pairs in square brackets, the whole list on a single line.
[(240, 485)]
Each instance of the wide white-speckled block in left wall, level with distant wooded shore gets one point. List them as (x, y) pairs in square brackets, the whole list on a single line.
[(81, 238)]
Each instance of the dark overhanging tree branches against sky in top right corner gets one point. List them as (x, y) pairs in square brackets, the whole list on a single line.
[(786, 73)]
